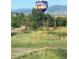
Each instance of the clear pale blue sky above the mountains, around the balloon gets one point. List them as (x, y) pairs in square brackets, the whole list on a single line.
[(15, 4)]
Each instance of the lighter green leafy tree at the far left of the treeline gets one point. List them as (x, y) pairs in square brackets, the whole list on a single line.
[(18, 19)]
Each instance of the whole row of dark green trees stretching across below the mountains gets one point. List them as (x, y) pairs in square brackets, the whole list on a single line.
[(37, 19)]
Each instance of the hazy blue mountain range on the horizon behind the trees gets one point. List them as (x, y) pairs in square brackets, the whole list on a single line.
[(54, 9)]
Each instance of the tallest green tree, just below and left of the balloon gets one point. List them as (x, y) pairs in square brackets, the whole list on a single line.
[(37, 19)]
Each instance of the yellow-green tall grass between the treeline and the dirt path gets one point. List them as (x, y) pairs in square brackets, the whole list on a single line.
[(39, 39)]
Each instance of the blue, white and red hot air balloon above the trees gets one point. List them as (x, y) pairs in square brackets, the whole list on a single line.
[(41, 5)]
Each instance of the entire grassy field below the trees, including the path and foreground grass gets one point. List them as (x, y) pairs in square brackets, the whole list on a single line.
[(55, 40)]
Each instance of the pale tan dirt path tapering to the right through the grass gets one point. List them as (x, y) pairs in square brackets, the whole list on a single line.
[(21, 51)]
